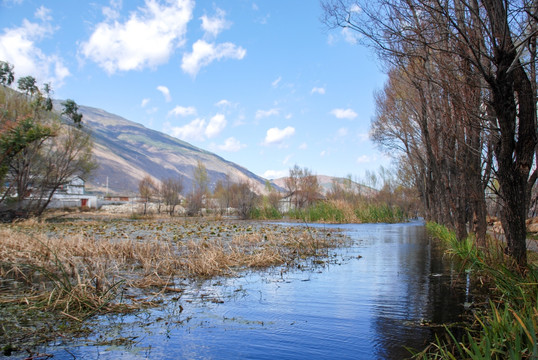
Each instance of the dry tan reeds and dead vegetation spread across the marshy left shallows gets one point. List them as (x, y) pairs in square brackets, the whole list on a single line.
[(78, 269)]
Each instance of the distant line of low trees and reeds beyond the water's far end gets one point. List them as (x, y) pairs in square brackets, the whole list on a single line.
[(302, 198)]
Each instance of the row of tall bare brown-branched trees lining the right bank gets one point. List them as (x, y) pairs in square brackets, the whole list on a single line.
[(459, 105)]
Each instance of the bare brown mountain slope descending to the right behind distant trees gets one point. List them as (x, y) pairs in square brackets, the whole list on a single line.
[(126, 151)]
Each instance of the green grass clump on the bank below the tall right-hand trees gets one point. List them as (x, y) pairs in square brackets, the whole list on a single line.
[(507, 328)]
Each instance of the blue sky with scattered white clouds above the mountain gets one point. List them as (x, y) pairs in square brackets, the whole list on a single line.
[(262, 83)]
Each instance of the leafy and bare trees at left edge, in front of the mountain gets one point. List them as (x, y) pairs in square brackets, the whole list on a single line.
[(40, 149)]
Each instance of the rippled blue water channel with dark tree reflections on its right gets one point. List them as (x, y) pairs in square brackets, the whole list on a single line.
[(370, 302)]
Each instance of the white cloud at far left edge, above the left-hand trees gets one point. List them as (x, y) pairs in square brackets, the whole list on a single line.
[(18, 46)]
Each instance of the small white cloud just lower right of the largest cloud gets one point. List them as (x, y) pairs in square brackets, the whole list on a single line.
[(204, 53)]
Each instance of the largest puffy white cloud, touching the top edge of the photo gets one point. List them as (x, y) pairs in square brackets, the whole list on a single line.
[(146, 39)]
